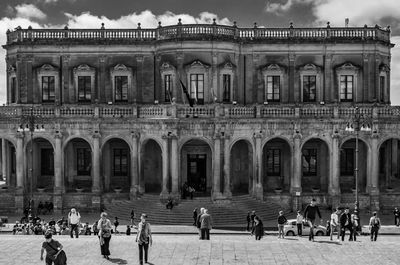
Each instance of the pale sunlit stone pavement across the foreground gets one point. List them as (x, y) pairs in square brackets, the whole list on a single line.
[(221, 249)]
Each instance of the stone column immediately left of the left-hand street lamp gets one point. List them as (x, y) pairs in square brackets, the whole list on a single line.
[(19, 196)]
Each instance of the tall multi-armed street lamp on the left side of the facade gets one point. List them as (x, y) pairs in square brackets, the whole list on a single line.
[(29, 123)]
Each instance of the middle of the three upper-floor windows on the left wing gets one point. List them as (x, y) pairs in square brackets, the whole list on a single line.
[(84, 77)]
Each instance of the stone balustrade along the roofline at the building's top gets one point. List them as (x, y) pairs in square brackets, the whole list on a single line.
[(200, 31)]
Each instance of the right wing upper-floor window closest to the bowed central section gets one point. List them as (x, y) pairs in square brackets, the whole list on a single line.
[(273, 82)]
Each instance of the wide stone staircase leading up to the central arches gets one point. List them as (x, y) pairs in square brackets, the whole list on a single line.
[(224, 214)]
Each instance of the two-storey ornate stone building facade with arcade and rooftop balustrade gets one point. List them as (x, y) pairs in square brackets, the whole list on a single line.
[(271, 108)]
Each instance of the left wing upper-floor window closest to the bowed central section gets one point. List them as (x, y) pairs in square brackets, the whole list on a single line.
[(122, 83)]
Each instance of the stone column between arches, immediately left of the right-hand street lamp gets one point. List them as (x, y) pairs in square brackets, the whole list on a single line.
[(334, 186)]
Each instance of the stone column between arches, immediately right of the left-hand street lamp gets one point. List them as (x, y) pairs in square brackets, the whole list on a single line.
[(58, 181)]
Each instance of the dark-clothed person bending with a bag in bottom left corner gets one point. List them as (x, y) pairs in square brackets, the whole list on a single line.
[(54, 252)]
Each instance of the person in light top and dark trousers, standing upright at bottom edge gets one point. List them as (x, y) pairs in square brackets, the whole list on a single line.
[(144, 238)]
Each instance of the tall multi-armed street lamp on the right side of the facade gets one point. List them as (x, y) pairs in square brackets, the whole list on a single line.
[(359, 122)]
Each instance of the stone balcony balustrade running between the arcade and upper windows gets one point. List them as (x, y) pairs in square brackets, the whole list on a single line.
[(222, 111)]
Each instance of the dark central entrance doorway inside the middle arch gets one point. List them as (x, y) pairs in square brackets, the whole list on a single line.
[(197, 171)]
